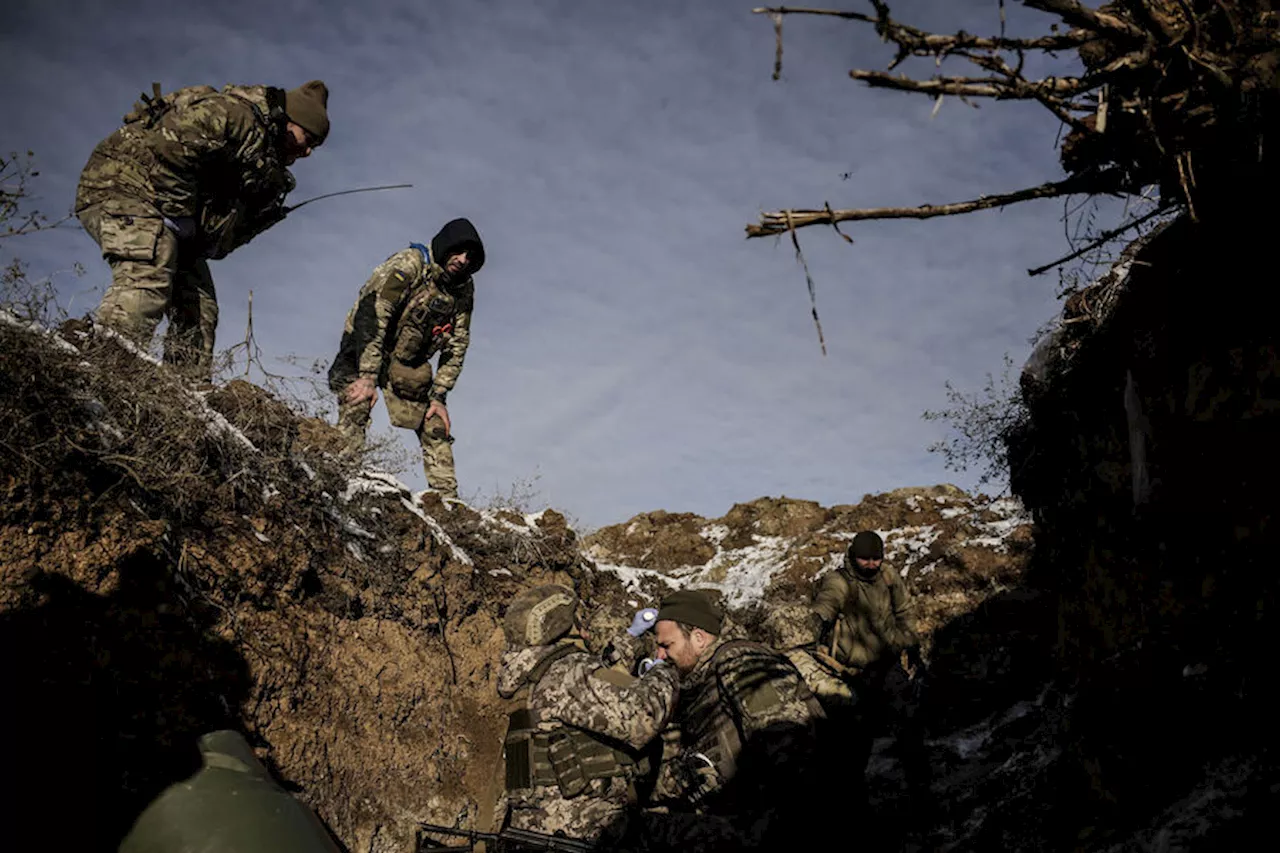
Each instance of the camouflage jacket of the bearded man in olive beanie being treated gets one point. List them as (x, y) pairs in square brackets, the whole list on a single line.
[(743, 703)]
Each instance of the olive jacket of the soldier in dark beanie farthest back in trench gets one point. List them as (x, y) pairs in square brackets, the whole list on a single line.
[(872, 618)]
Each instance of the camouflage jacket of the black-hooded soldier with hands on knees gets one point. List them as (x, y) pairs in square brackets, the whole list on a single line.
[(401, 320)]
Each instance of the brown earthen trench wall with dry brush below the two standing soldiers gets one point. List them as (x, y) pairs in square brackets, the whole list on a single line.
[(176, 564)]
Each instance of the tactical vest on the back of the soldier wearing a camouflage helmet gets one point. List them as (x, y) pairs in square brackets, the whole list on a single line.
[(563, 756)]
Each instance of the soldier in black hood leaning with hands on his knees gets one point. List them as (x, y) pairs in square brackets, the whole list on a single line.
[(417, 304)]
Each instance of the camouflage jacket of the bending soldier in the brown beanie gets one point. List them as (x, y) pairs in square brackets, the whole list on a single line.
[(209, 156)]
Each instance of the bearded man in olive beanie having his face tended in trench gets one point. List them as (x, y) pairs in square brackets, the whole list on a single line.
[(747, 731)]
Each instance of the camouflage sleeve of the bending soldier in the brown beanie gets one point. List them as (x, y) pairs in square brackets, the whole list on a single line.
[(191, 140)]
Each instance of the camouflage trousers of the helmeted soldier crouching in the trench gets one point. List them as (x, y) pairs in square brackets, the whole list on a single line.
[(597, 815)]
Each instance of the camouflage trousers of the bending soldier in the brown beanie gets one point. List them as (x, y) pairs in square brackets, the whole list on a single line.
[(153, 279)]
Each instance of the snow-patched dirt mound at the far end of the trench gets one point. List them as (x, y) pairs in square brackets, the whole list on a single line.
[(963, 559)]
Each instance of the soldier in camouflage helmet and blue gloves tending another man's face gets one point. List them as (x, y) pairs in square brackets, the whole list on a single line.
[(575, 745)]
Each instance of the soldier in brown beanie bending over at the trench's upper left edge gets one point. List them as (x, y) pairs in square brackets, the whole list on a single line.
[(190, 177)]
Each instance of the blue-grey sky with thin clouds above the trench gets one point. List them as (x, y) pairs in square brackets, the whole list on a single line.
[(630, 349)]
